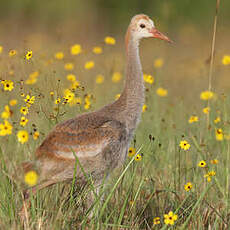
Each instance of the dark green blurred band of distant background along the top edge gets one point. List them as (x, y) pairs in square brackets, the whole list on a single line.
[(110, 14)]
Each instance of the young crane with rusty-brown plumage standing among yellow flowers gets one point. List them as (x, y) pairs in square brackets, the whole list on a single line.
[(99, 139)]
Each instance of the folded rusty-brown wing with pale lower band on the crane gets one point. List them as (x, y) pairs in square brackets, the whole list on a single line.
[(82, 136)]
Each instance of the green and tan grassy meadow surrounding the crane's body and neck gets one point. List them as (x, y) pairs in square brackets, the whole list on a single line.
[(139, 191)]
